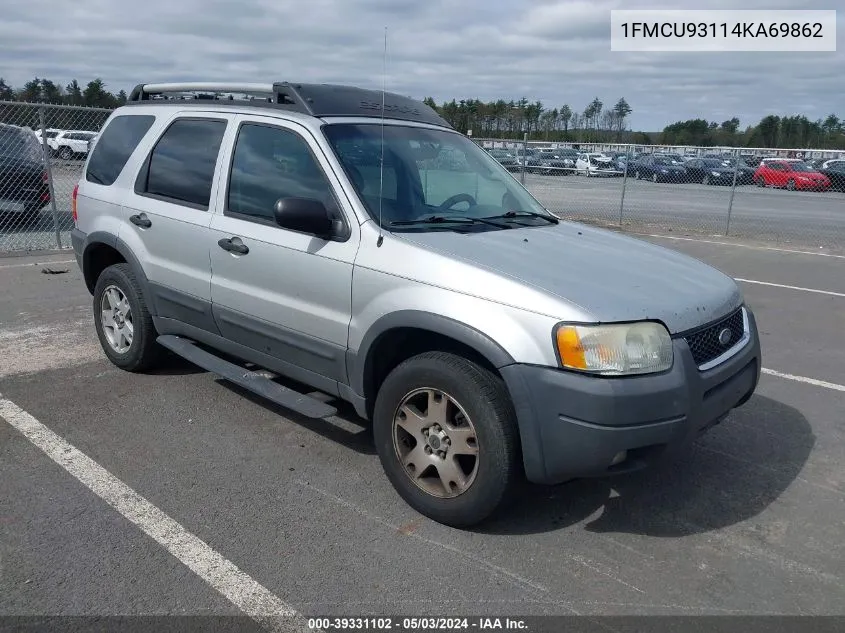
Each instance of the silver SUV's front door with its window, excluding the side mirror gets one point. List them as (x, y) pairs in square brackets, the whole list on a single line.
[(286, 294)]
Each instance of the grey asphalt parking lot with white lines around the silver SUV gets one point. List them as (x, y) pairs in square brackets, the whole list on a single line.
[(238, 503)]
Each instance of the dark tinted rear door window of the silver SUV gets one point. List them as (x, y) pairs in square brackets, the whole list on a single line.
[(181, 166)]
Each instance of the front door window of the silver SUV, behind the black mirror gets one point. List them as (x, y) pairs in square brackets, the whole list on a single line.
[(272, 163)]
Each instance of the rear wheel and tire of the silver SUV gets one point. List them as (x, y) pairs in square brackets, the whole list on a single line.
[(142, 352)]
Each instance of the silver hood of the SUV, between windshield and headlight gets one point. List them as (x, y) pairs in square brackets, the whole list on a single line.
[(608, 275)]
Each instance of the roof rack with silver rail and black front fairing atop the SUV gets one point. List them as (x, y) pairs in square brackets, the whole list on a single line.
[(318, 100)]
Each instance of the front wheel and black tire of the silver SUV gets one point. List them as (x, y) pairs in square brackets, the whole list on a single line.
[(490, 478)]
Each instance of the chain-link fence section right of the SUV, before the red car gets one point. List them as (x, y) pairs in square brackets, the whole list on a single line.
[(756, 193)]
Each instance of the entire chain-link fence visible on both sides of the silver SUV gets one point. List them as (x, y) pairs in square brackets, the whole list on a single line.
[(645, 189)]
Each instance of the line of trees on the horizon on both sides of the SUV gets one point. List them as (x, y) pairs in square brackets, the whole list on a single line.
[(513, 119)]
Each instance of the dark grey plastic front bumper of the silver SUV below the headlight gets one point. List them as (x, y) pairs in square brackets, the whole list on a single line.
[(572, 425)]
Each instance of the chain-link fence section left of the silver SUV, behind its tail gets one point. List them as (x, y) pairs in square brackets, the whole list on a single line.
[(42, 150)]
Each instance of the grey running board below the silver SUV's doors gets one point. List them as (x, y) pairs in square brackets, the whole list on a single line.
[(252, 381)]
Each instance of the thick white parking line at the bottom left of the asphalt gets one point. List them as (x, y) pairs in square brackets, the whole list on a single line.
[(223, 575)]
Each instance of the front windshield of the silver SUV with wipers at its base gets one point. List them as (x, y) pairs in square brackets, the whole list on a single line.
[(426, 172)]
